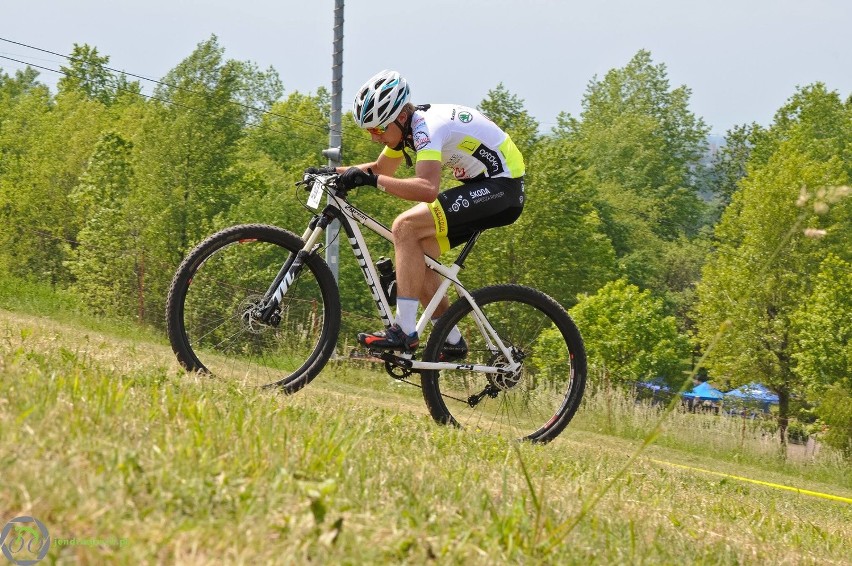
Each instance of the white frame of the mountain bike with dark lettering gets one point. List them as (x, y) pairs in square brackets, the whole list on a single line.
[(352, 218)]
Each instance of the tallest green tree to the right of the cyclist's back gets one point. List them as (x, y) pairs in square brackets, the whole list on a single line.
[(641, 147)]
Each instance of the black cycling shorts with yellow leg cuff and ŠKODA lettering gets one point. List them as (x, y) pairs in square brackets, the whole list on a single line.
[(476, 205)]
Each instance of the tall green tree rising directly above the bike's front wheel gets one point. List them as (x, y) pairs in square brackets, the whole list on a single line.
[(190, 145)]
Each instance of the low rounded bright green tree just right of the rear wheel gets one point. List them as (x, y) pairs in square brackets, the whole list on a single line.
[(628, 335)]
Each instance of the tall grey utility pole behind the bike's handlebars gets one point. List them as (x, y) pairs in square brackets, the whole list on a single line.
[(332, 247)]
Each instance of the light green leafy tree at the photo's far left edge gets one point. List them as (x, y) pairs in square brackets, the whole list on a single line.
[(45, 148)]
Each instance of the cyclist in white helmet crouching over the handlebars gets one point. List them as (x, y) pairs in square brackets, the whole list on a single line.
[(482, 157)]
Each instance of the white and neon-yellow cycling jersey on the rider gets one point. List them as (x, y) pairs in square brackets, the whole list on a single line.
[(463, 140)]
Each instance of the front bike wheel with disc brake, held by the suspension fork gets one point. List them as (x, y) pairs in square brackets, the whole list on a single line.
[(213, 302)]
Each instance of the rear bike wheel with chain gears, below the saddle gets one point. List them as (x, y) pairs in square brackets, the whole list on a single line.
[(536, 401)]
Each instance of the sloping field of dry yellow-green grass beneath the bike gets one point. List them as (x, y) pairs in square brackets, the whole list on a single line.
[(125, 459)]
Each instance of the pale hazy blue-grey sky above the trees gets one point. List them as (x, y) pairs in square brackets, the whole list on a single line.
[(741, 59)]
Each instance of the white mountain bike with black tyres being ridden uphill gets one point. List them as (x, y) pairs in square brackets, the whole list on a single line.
[(258, 303)]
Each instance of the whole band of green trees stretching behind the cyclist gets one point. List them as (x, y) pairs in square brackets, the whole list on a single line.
[(741, 264)]
